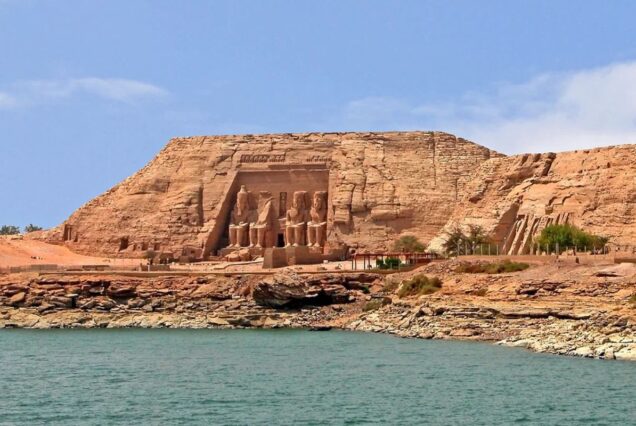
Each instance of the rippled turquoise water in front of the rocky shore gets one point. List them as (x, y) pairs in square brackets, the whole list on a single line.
[(297, 377)]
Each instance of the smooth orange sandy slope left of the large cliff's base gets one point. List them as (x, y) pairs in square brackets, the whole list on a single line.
[(22, 252)]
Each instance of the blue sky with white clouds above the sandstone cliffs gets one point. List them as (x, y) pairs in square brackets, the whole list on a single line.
[(90, 91)]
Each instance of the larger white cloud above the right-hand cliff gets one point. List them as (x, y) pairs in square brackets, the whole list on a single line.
[(551, 112)]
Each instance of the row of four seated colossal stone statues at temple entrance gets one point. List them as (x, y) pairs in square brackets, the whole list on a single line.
[(251, 227)]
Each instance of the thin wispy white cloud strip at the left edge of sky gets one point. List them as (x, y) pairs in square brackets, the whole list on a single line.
[(35, 92)]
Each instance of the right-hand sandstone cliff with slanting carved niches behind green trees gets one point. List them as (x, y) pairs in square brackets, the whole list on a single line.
[(514, 198)]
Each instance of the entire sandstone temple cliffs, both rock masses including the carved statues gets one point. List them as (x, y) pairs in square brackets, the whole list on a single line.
[(307, 197)]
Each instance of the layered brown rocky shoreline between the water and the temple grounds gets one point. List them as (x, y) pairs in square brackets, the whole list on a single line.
[(566, 310)]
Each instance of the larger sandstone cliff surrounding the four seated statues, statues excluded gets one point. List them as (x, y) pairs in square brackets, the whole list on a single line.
[(378, 186)]
